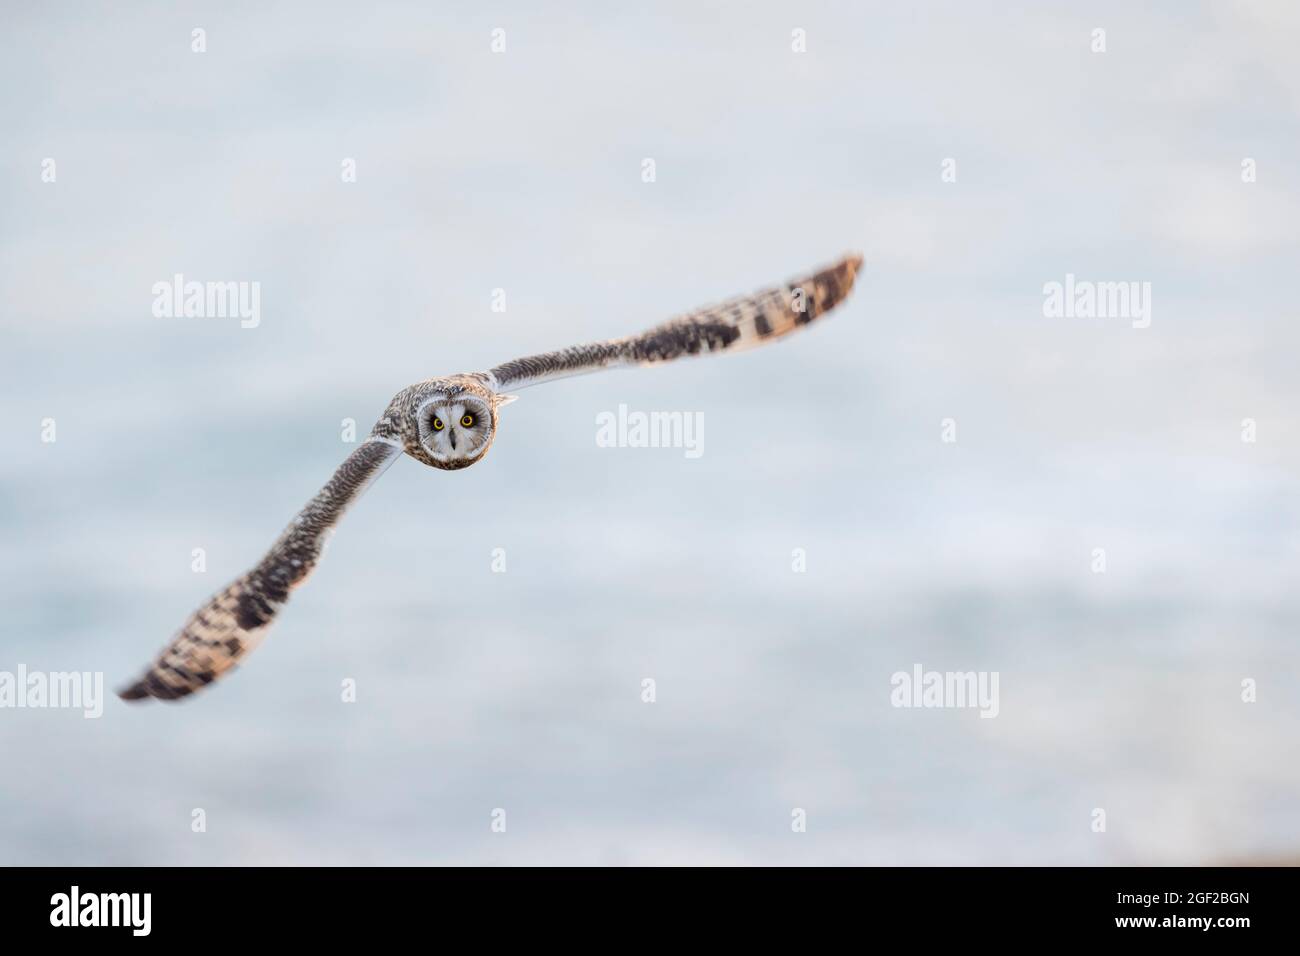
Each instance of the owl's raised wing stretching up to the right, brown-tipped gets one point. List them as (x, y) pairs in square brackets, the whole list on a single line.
[(733, 326)]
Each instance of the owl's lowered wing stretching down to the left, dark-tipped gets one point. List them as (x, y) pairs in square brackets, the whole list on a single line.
[(233, 622)]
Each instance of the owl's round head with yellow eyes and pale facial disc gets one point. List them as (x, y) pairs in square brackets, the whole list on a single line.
[(453, 426)]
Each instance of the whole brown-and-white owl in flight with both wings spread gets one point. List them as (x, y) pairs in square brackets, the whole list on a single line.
[(450, 423)]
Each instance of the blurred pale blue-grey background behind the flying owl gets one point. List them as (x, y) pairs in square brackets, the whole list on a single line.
[(523, 171)]
